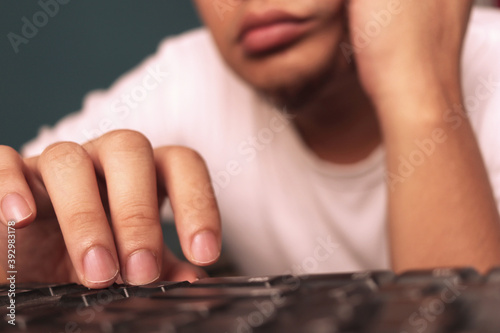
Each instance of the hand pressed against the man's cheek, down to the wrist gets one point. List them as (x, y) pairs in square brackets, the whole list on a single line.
[(401, 44)]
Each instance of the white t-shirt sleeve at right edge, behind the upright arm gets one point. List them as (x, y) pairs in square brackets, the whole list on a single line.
[(481, 80)]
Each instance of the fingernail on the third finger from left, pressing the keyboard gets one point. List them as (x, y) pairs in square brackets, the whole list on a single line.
[(142, 268)]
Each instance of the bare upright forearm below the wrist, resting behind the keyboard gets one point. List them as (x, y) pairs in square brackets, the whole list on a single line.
[(441, 207)]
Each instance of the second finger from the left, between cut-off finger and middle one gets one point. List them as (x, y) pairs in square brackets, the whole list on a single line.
[(68, 174)]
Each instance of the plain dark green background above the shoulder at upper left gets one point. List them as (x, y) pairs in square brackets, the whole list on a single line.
[(85, 46)]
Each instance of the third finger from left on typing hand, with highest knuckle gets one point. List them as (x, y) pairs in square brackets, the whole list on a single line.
[(127, 163)]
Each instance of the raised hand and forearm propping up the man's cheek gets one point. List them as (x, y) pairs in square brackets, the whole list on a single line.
[(441, 210)]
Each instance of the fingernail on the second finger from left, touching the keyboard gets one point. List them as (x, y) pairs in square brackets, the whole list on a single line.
[(99, 265)]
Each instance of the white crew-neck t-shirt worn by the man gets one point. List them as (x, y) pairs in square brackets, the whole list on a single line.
[(284, 210)]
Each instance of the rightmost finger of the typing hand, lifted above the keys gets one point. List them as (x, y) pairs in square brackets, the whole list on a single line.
[(186, 178)]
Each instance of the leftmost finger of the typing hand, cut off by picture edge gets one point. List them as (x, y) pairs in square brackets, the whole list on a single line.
[(17, 202)]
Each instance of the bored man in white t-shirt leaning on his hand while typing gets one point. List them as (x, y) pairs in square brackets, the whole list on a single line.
[(335, 133)]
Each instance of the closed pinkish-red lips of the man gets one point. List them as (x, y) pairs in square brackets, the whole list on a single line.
[(271, 30)]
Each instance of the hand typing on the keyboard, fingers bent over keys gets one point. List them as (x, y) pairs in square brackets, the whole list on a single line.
[(90, 213)]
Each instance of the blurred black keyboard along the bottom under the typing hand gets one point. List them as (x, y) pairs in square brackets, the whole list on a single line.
[(437, 301)]
